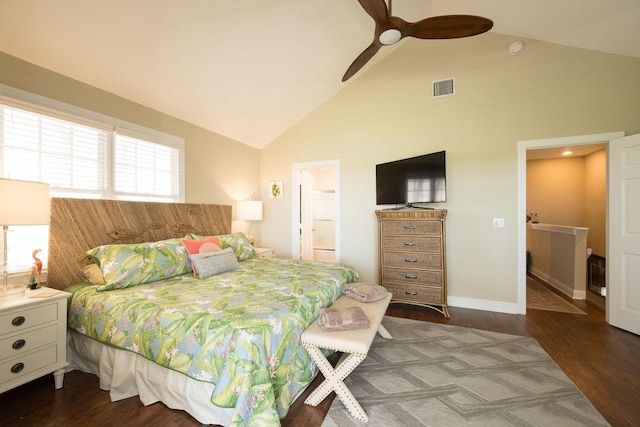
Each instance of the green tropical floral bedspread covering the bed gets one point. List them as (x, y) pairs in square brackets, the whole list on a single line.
[(239, 330)]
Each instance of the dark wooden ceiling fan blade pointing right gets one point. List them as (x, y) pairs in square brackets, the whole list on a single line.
[(447, 27)]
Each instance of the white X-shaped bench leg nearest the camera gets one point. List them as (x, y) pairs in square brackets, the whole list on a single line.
[(334, 381)]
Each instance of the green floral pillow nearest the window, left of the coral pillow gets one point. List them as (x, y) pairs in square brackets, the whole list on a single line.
[(133, 264)]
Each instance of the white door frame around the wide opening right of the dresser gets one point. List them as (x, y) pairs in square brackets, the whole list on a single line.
[(523, 146)]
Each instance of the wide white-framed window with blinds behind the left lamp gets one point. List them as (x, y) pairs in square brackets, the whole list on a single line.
[(81, 154)]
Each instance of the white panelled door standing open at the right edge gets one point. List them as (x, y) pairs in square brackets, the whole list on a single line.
[(623, 258)]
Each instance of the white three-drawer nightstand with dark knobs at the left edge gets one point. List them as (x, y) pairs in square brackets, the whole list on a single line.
[(33, 337)]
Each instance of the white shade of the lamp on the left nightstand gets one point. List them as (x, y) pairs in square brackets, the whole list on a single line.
[(24, 202)]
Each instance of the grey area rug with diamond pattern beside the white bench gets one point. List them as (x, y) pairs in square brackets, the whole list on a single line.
[(432, 374)]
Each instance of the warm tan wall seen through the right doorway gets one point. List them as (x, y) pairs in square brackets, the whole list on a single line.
[(571, 192)]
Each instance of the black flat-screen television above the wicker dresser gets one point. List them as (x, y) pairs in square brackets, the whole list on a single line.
[(420, 179)]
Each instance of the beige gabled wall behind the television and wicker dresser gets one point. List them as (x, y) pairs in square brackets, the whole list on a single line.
[(387, 113)]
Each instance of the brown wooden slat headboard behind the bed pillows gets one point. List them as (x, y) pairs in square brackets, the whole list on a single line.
[(78, 225)]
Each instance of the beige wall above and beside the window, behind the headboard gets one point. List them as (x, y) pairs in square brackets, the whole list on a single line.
[(218, 169)]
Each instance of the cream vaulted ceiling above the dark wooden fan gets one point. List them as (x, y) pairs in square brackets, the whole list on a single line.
[(250, 69)]
